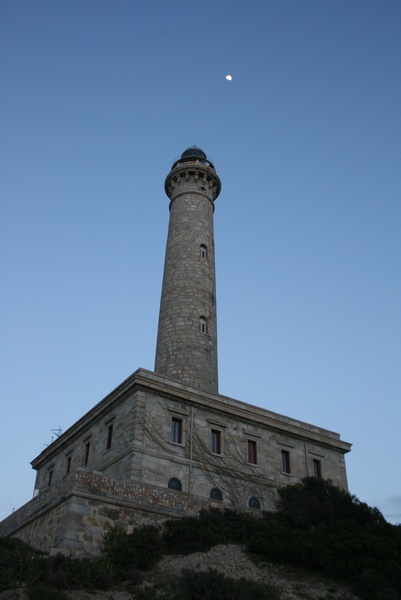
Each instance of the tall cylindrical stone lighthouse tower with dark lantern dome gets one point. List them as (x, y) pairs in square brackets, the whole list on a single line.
[(187, 336)]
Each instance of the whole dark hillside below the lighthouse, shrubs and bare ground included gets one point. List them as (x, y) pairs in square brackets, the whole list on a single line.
[(320, 544)]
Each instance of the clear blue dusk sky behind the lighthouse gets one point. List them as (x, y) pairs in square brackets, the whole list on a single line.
[(98, 99)]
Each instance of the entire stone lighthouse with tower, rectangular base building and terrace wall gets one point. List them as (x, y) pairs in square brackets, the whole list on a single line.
[(165, 444)]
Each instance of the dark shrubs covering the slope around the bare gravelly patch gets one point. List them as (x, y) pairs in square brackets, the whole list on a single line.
[(316, 526)]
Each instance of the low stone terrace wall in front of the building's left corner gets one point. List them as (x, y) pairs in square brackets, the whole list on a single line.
[(72, 516)]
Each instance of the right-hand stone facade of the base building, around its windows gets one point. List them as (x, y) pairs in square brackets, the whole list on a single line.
[(199, 469)]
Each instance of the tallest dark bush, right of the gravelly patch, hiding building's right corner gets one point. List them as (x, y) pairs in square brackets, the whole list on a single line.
[(322, 527)]
